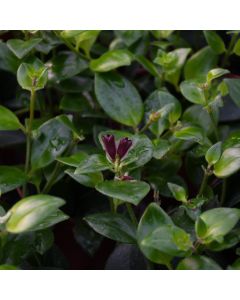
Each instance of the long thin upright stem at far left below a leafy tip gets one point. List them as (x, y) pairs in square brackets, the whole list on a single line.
[(29, 135)]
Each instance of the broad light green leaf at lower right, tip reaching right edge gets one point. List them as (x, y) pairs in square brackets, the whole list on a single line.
[(218, 222)]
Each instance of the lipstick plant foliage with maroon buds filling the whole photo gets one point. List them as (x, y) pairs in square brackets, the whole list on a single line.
[(122, 144)]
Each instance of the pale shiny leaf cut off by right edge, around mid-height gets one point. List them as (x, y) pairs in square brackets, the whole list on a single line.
[(228, 163)]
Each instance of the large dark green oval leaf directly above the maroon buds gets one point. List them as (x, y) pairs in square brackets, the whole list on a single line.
[(119, 98)]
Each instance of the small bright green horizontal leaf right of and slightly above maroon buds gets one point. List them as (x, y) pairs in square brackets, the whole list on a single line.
[(190, 133)]
